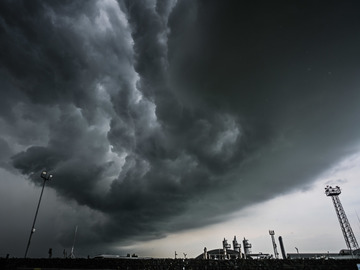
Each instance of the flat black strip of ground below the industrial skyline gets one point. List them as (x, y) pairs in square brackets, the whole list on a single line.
[(160, 264)]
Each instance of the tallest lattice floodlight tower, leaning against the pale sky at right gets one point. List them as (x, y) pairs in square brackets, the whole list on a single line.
[(344, 222)]
